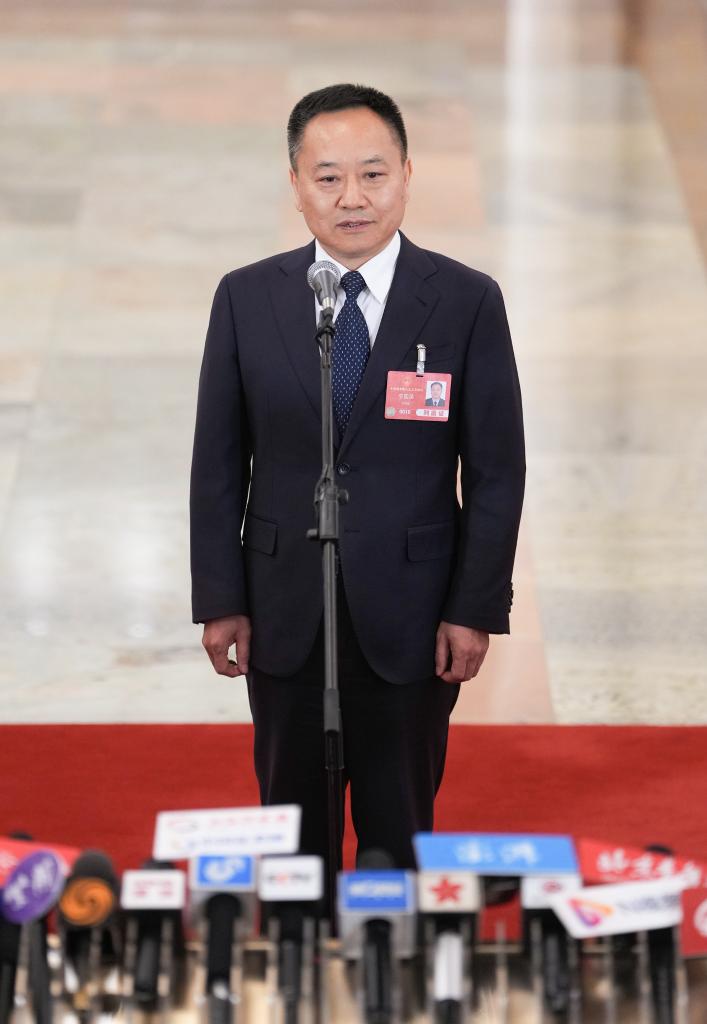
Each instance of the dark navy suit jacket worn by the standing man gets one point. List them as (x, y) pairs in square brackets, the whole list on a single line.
[(410, 554)]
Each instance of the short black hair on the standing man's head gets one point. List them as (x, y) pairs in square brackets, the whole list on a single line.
[(343, 98)]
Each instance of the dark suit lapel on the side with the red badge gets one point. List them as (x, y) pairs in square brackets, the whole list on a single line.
[(409, 305)]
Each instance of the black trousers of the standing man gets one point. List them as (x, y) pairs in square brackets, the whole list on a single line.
[(395, 743)]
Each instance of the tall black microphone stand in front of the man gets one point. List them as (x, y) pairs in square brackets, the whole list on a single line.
[(328, 499)]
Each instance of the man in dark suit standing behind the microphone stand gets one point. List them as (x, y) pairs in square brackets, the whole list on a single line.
[(411, 631)]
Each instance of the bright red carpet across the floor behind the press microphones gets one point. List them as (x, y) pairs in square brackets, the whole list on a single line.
[(101, 786)]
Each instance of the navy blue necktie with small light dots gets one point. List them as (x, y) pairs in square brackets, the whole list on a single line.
[(352, 348)]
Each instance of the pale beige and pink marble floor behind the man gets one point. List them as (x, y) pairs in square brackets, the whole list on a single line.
[(561, 147)]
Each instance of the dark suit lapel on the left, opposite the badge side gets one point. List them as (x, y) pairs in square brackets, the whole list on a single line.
[(294, 304)]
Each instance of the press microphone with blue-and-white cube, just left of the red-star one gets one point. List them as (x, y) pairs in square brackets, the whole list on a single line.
[(378, 919)]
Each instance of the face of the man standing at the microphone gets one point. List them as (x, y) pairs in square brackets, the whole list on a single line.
[(351, 184)]
